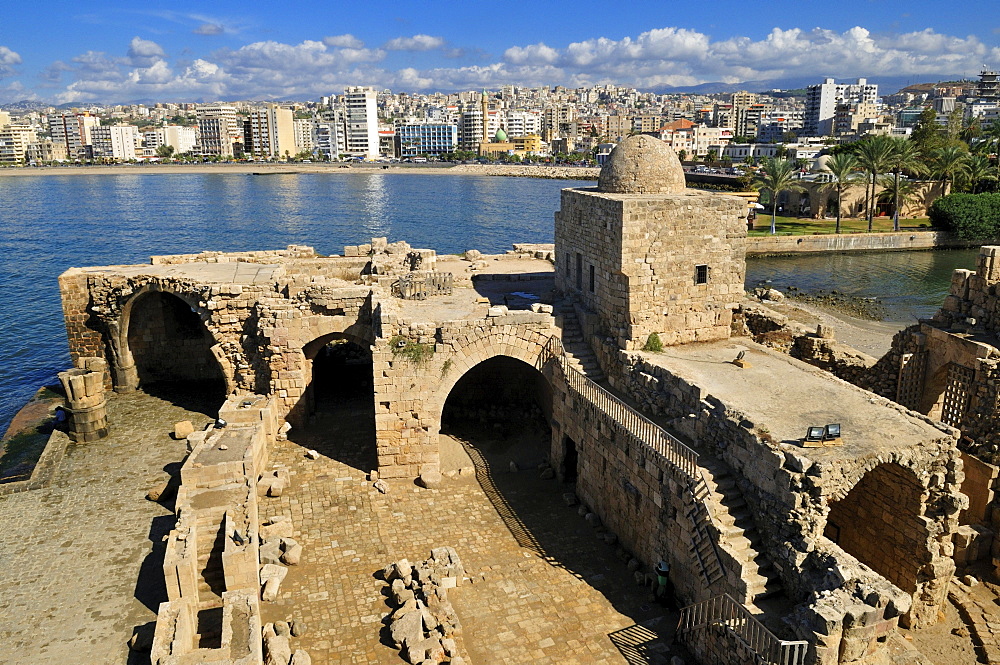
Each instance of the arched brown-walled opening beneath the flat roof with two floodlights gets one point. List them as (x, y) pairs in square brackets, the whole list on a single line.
[(880, 523)]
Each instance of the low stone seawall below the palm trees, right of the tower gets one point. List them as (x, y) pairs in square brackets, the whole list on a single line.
[(855, 242)]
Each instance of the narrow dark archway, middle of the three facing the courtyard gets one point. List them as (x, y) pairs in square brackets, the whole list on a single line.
[(336, 415)]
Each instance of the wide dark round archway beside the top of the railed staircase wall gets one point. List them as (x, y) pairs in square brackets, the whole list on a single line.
[(501, 407)]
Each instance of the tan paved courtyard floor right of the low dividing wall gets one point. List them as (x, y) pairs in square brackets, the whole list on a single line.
[(545, 589)]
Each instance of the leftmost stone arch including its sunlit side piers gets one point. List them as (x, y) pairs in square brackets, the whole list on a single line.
[(189, 336)]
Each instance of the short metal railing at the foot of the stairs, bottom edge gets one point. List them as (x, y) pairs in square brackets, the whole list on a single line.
[(726, 612)]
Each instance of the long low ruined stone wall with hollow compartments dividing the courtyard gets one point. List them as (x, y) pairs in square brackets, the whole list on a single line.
[(211, 563)]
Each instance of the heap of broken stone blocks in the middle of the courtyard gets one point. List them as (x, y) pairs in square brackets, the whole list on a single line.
[(423, 624)]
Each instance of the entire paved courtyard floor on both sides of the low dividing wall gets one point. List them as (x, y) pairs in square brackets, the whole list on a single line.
[(80, 561)]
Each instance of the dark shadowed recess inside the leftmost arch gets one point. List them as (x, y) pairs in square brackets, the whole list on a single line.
[(172, 351)]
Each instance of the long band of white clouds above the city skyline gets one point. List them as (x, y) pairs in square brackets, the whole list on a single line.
[(668, 56)]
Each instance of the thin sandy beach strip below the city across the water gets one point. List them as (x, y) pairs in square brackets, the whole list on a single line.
[(553, 172)]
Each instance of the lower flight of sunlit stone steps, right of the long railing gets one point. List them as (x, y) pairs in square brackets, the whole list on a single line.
[(739, 534)]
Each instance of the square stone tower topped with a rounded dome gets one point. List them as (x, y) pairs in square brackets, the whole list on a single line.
[(646, 255)]
